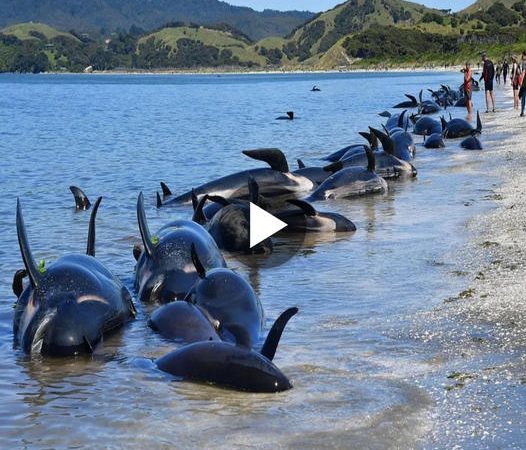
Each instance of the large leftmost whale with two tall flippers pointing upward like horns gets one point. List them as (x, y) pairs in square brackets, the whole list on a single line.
[(68, 307)]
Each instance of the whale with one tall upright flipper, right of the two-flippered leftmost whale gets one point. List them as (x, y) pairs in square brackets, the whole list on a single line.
[(164, 270)]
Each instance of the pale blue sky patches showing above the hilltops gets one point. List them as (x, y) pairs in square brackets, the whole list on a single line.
[(323, 5)]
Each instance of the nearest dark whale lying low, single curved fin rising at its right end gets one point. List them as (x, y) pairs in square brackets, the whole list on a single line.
[(230, 365)]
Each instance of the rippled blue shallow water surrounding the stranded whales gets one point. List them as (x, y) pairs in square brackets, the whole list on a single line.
[(355, 380)]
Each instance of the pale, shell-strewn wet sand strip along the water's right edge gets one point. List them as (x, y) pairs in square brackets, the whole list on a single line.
[(479, 336)]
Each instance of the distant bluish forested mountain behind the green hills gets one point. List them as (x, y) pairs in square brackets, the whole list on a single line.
[(106, 16)]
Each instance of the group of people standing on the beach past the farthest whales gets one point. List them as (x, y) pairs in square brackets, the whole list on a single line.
[(517, 72)]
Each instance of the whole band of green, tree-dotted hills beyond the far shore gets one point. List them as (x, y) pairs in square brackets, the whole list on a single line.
[(354, 34)]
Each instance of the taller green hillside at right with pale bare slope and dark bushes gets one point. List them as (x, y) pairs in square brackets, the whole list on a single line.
[(361, 33)]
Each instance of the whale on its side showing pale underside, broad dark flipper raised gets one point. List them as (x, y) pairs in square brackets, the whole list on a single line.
[(273, 181)]
